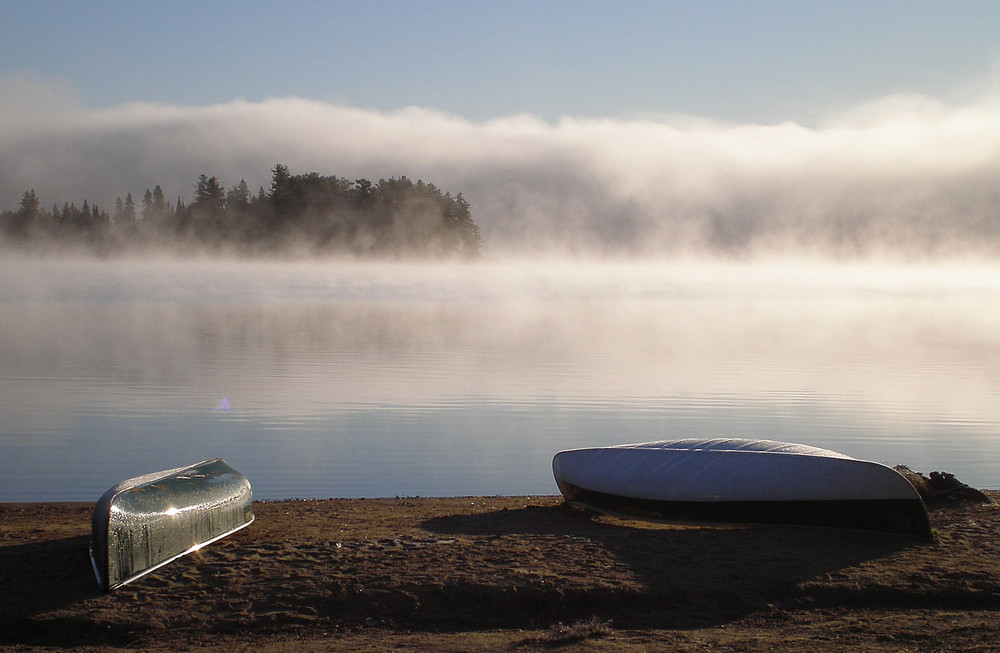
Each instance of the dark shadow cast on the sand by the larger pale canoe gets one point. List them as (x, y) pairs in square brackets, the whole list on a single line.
[(686, 576)]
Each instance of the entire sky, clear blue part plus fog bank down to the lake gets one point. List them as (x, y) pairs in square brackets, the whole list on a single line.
[(701, 121)]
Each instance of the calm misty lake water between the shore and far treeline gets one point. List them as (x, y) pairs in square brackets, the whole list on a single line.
[(391, 379)]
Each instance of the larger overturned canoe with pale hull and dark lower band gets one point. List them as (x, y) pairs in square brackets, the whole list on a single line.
[(742, 481)]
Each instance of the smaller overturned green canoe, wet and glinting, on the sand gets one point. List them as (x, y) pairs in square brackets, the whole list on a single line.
[(146, 522)]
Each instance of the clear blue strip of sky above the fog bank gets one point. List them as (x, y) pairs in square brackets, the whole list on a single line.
[(738, 61)]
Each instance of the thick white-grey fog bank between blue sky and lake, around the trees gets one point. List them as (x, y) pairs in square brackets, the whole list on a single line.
[(906, 175)]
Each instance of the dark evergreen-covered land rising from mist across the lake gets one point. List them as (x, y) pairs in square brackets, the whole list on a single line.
[(307, 213)]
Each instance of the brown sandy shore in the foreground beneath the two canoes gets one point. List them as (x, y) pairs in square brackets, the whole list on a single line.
[(502, 573)]
